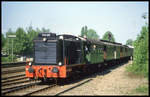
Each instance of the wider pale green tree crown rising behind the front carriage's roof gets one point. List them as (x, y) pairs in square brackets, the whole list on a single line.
[(89, 33)]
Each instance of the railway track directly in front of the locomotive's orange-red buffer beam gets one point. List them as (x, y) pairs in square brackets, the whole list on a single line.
[(28, 89)]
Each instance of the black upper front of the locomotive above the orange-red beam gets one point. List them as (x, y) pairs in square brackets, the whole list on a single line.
[(48, 50)]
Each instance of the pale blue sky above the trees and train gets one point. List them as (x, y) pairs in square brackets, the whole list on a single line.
[(123, 19)]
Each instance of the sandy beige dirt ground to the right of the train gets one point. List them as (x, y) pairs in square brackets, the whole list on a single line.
[(114, 81)]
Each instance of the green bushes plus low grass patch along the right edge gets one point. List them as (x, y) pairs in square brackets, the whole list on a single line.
[(139, 67)]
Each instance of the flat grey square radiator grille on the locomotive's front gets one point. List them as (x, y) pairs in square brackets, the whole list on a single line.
[(45, 53)]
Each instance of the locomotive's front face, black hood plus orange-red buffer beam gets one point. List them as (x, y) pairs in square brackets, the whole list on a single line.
[(48, 58)]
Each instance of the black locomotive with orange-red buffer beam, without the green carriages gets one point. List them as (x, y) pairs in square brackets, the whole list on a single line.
[(52, 55)]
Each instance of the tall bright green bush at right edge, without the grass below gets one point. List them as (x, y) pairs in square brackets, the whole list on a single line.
[(140, 63)]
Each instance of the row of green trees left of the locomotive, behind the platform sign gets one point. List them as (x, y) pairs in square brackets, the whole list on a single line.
[(23, 43)]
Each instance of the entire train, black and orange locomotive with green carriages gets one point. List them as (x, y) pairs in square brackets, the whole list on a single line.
[(60, 56)]
